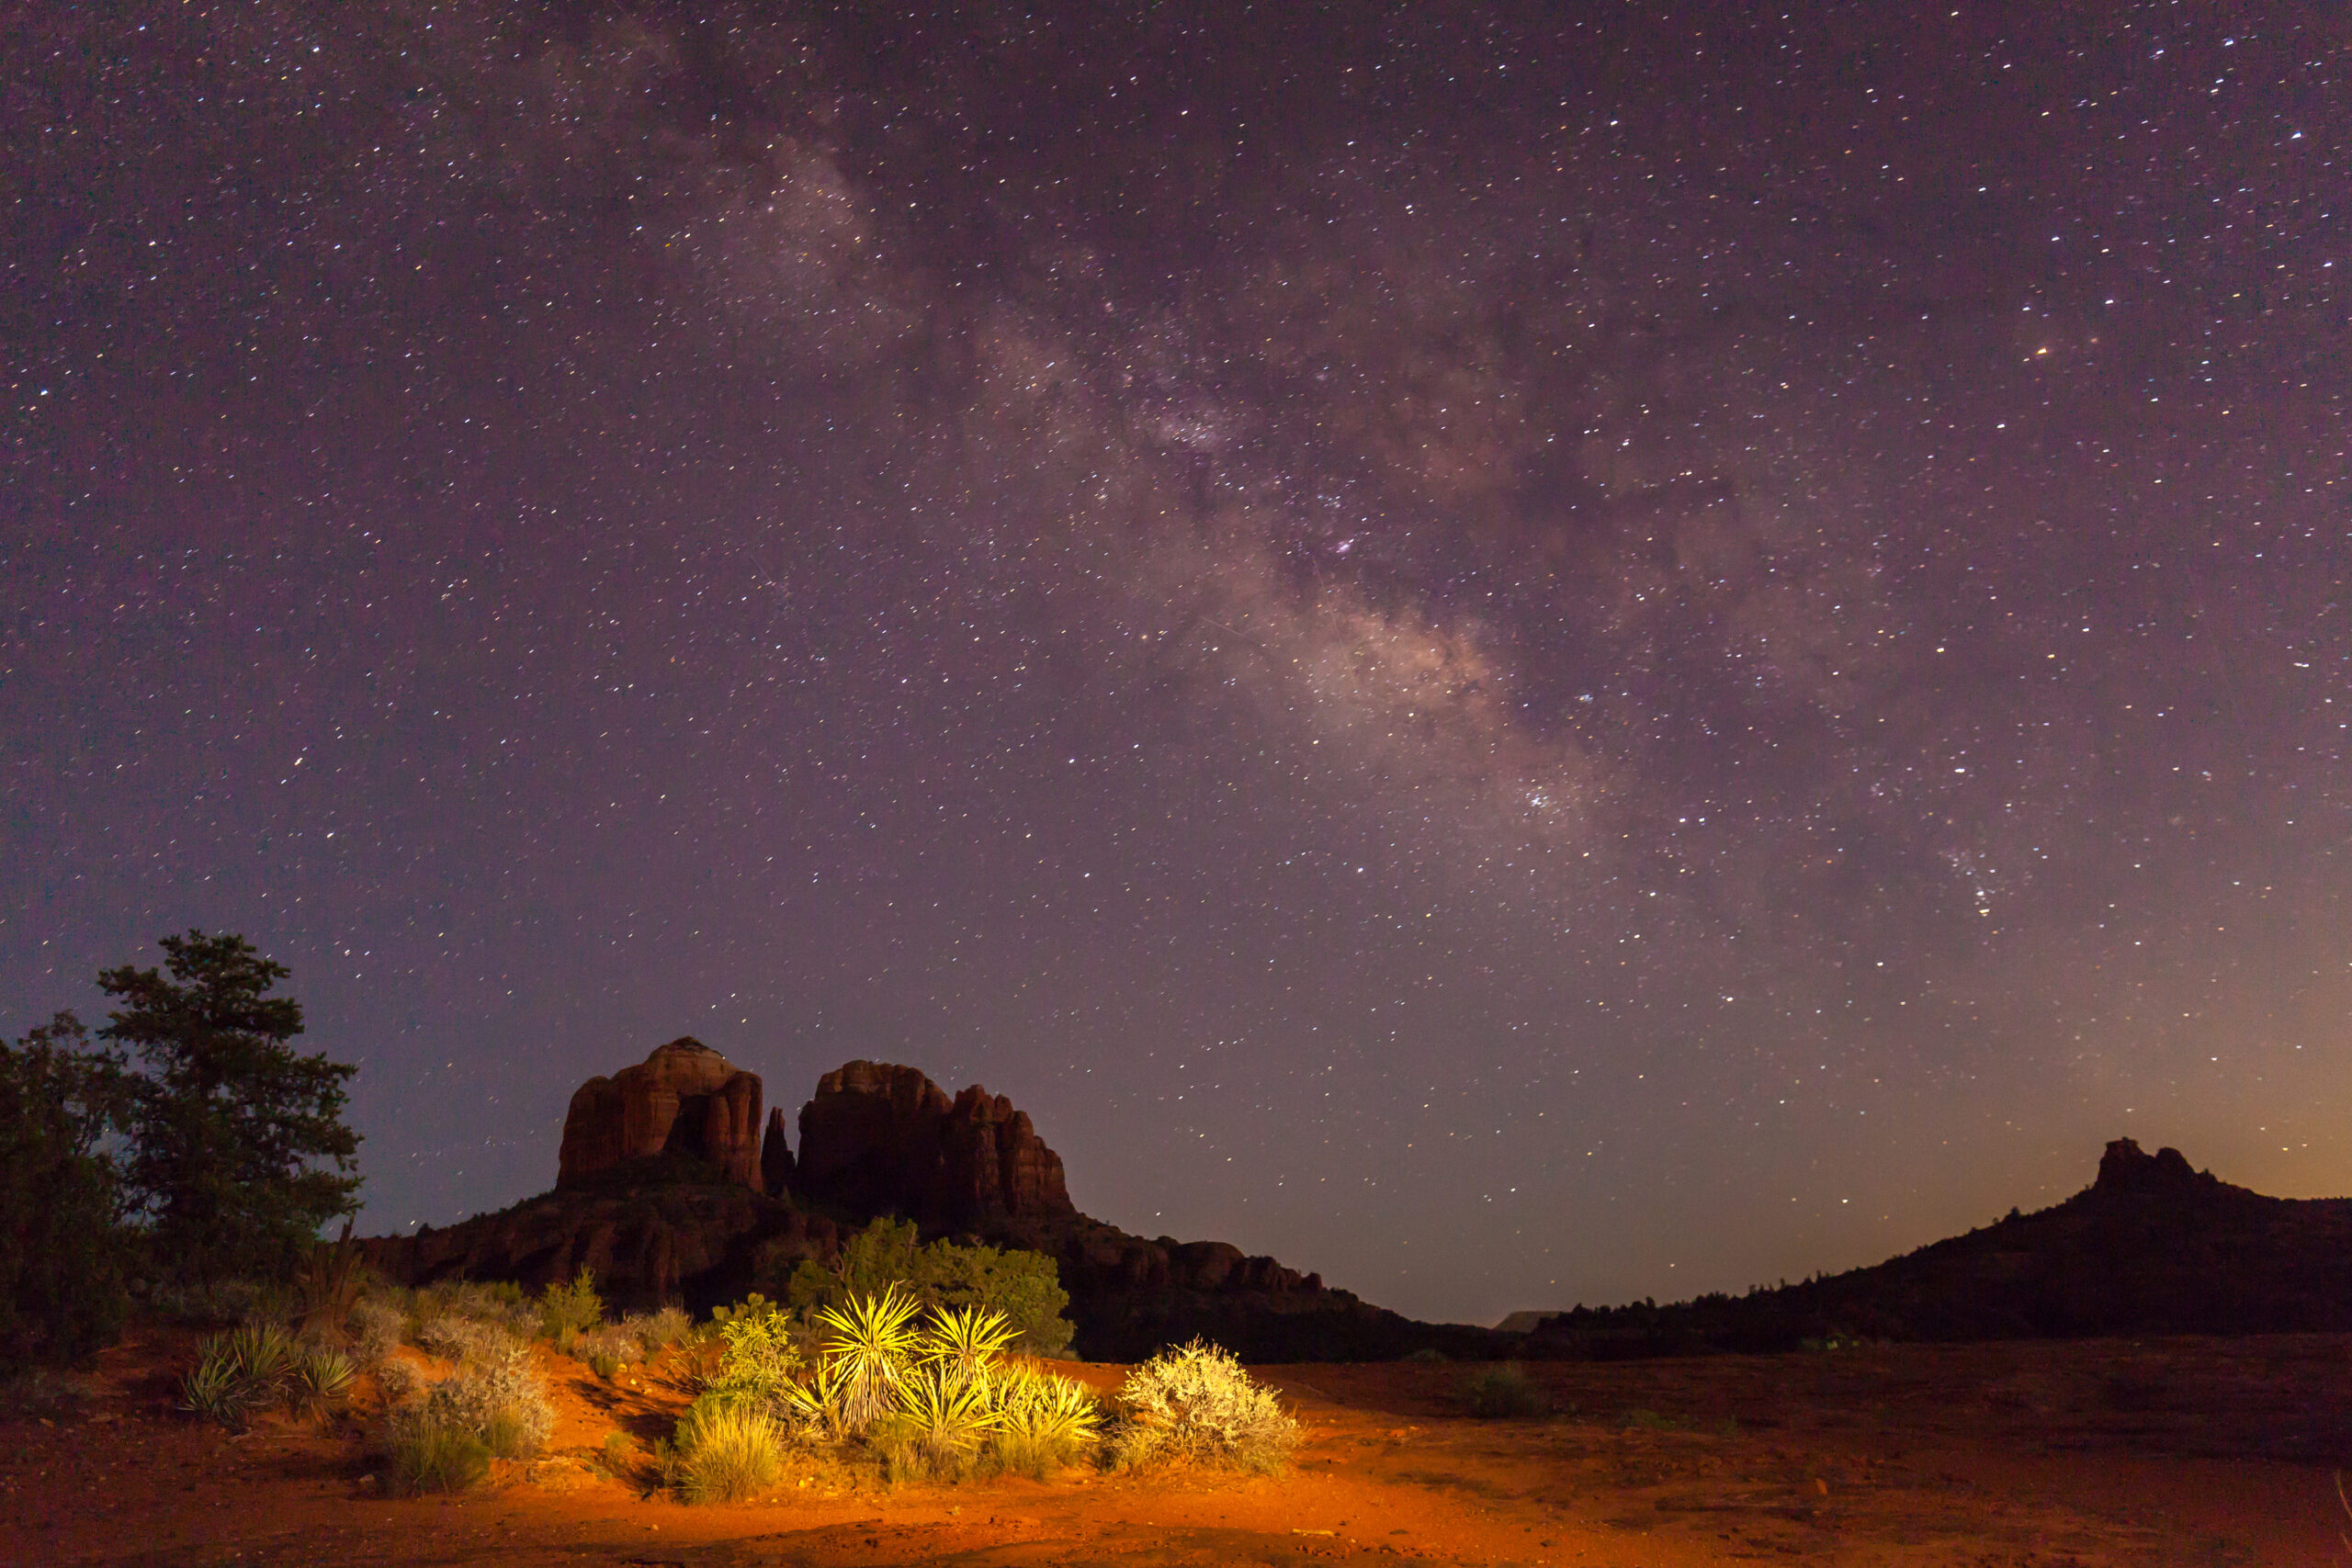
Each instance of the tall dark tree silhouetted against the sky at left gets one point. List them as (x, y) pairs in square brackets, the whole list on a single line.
[(239, 1146)]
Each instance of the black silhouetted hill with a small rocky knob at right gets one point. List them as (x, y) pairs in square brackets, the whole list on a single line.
[(2151, 1247)]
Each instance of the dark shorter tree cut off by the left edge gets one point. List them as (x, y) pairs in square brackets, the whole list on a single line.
[(60, 1195)]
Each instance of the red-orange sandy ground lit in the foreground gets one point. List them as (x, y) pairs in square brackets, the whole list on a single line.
[(2078, 1456)]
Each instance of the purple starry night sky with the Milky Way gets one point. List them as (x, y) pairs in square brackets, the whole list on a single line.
[(1514, 652)]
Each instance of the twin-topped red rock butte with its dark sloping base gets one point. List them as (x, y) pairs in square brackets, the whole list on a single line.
[(671, 1186)]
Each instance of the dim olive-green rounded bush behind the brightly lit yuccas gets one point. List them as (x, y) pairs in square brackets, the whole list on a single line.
[(1020, 1285)]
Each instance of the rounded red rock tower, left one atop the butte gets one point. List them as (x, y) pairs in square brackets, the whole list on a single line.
[(683, 1099)]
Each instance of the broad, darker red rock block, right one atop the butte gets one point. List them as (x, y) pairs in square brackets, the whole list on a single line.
[(886, 1139)]
